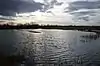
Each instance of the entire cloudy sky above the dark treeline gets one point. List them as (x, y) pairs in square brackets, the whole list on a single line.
[(78, 12)]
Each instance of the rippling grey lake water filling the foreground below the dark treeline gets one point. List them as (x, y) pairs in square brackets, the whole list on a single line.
[(49, 48)]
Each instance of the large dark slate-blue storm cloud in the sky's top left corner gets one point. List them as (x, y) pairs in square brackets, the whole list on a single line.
[(11, 7)]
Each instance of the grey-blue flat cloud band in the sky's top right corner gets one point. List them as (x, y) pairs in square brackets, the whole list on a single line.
[(84, 5)]
